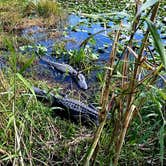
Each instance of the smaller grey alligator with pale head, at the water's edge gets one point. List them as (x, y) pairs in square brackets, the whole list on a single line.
[(65, 68)]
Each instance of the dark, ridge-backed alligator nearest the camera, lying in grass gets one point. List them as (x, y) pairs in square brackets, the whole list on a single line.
[(69, 108)]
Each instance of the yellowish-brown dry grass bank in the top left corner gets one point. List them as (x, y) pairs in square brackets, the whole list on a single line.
[(16, 15)]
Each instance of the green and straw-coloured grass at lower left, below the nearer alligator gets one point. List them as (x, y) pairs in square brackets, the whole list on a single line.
[(29, 133)]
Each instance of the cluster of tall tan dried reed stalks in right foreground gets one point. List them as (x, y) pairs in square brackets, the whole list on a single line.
[(123, 105)]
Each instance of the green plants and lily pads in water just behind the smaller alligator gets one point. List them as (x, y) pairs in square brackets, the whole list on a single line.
[(81, 58)]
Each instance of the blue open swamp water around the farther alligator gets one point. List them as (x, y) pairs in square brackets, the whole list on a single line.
[(79, 28)]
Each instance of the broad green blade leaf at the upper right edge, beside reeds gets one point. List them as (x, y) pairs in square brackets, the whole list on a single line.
[(157, 41)]
